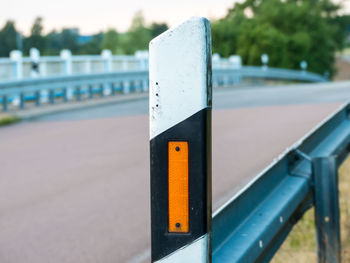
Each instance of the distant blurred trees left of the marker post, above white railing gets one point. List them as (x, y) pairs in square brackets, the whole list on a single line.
[(136, 38)]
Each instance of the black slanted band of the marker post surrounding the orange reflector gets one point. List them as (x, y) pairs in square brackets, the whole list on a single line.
[(197, 131)]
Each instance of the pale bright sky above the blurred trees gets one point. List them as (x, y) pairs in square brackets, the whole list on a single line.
[(92, 16)]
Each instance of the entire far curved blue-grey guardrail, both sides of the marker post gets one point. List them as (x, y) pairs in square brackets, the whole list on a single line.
[(74, 86)]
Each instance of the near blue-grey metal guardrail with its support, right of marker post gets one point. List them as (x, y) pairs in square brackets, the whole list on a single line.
[(254, 223)]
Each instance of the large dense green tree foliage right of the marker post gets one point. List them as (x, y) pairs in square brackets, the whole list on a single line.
[(288, 31)]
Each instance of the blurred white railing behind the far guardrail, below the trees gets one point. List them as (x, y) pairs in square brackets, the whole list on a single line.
[(17, 67)]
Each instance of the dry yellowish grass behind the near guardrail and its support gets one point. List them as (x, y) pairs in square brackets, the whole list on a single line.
[(300, 246)]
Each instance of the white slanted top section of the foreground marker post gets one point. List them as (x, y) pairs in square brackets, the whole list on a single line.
[(180, 74)]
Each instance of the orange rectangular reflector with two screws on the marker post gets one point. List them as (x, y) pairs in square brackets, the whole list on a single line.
[(178, 187)]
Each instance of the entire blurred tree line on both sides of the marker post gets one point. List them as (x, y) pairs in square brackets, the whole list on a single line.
[(289, 31)]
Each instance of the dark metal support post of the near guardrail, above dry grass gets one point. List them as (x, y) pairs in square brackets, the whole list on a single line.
[(325, 174)]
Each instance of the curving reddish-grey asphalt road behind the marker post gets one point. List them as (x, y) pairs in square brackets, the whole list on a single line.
[(74, 187)]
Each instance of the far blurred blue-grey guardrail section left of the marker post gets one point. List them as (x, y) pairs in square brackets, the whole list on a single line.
[(48, 89)]
